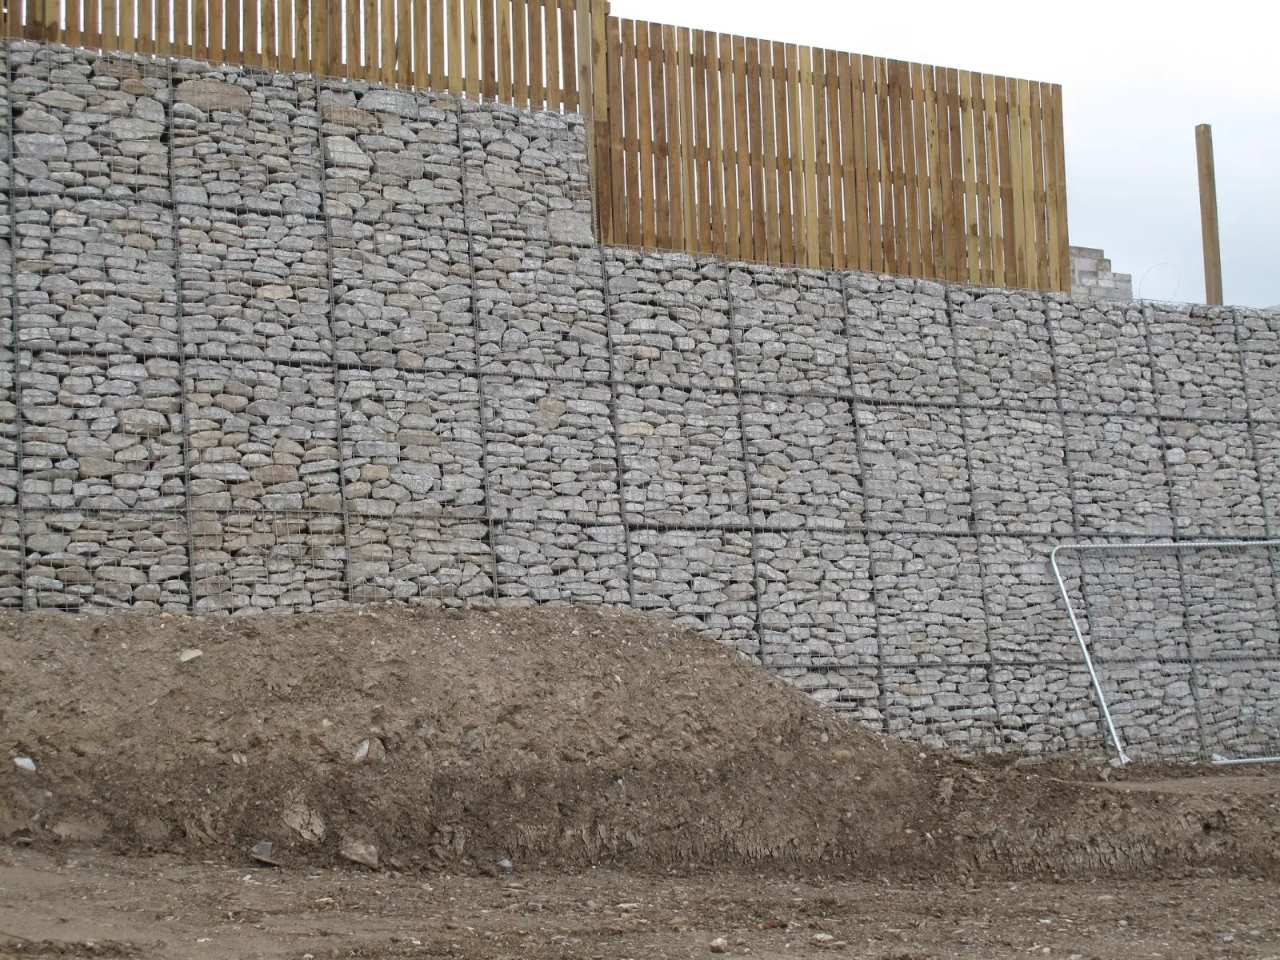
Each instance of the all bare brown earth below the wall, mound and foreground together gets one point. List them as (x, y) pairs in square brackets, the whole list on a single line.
[(651, 793)]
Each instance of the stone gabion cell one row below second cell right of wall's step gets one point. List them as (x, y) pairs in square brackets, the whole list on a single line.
[(804, 469)]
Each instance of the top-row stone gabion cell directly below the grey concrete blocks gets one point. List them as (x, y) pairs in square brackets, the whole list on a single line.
[(1103, 359)]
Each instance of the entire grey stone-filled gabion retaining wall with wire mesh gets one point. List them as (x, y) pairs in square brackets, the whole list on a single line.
[(271, 344)]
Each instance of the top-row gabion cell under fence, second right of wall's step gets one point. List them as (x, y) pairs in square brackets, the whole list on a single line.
[(790, 330)]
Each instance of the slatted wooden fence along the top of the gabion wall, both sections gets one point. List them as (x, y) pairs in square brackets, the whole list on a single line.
[(703, 143)]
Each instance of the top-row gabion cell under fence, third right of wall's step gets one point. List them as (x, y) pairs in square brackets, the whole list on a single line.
[(900, 345)]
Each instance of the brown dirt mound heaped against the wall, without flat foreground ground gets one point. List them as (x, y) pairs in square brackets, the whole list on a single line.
[(545, 737)]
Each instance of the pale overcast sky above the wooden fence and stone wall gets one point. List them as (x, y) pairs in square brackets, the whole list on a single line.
[(1137, 79)]
